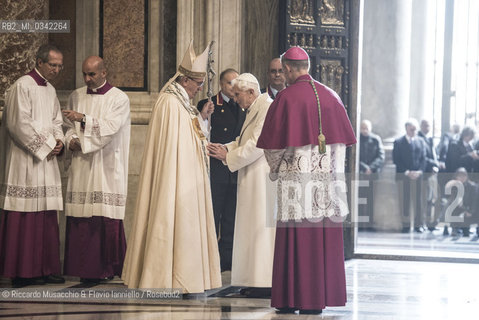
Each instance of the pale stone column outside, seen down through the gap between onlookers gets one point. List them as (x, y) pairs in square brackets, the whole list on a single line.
[(385, 89)]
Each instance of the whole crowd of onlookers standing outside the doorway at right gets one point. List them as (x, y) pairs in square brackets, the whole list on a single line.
[(436, 181)]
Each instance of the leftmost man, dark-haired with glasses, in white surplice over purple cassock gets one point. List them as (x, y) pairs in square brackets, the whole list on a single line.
[(31, 137)]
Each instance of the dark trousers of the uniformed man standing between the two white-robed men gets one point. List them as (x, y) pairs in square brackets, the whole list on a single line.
[(224, 207)]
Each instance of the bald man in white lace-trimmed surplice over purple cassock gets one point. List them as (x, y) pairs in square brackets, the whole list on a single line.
[(98, 139)]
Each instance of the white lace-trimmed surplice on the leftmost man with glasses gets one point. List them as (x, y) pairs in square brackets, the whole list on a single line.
[(31, 125)]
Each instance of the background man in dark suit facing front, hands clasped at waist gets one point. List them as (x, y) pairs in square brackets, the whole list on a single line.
[(409, 156)]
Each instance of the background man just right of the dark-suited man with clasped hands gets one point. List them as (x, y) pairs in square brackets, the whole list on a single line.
[(430, 186)]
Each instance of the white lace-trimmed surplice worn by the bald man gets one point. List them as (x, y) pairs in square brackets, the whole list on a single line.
[(98, 176)]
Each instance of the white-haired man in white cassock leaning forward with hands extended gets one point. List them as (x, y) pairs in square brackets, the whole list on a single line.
[(253, 244)]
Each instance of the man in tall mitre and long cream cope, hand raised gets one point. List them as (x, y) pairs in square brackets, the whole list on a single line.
[(173, 240)]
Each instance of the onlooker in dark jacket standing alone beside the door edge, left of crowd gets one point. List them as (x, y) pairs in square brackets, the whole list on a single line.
[(371, 160)]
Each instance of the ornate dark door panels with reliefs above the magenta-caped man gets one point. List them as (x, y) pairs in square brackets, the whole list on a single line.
[(322, 28)]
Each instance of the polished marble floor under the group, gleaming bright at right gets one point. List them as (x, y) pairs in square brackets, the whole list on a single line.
[(377, 289)]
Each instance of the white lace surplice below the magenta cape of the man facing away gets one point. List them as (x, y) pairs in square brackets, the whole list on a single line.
[(310, 185)]
